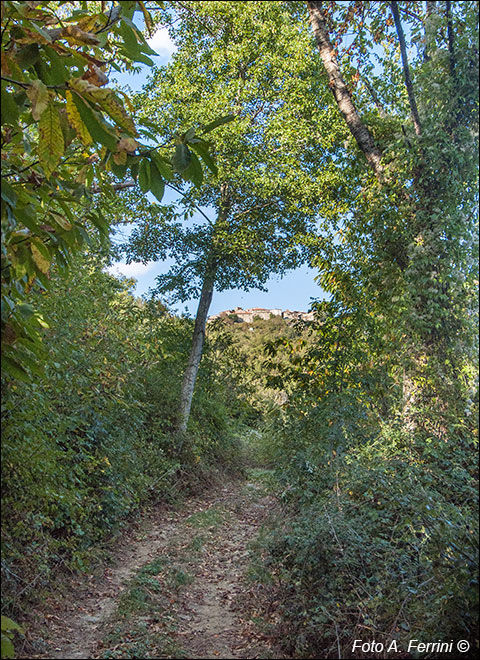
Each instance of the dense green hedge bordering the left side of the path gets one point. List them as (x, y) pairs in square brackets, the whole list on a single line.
[(90, 439)]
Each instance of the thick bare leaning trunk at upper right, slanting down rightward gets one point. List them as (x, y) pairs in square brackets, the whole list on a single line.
[(340, 90)]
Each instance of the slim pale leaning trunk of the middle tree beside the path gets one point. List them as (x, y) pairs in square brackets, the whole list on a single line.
[(198, 340)]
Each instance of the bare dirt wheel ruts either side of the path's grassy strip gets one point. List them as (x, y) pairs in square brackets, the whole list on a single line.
[(212, 622)]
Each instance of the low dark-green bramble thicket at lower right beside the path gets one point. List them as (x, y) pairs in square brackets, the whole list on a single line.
[(386, 550)]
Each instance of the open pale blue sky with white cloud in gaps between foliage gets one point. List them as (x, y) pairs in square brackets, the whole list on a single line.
[(295, 291)]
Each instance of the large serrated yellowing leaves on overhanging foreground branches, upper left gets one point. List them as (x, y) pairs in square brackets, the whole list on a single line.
[(65, 135)]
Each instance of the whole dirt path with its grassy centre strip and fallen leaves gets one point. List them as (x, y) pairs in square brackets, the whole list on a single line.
[(180, 589)]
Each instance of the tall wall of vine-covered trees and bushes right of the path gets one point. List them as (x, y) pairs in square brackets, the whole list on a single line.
[(375, 446)]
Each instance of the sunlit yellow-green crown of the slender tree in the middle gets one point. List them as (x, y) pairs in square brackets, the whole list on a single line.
[(262, 193)]
